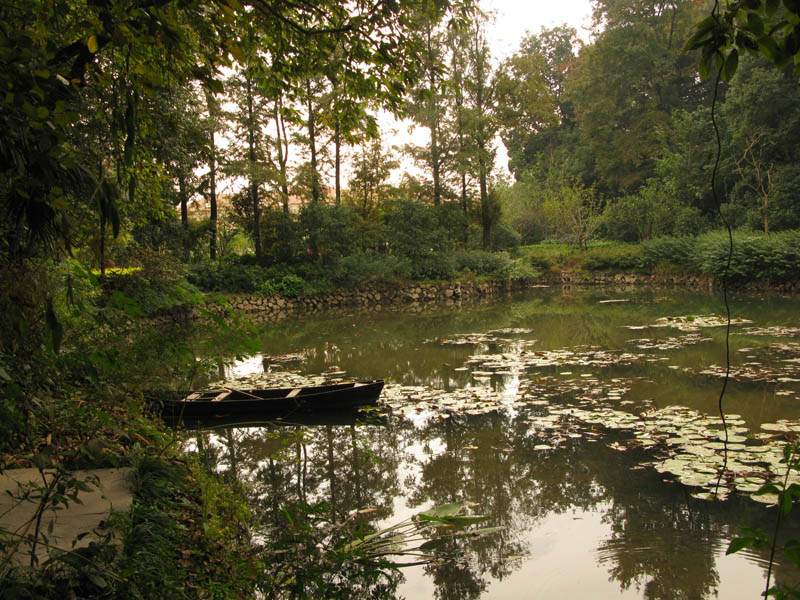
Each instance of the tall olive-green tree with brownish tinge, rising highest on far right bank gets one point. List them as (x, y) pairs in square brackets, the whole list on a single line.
[(627, 83)]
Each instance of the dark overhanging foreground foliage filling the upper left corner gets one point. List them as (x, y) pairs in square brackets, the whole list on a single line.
[(59, 54)]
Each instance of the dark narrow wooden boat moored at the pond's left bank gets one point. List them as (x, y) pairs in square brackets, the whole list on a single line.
[(278, 402)]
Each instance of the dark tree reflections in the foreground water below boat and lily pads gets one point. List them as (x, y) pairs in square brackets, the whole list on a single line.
[(662, 542)]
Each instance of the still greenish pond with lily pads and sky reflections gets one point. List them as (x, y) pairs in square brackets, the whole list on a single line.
[(582, 425)]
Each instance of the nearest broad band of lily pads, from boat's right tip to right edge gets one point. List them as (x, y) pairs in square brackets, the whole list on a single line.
[(680, 442)]
